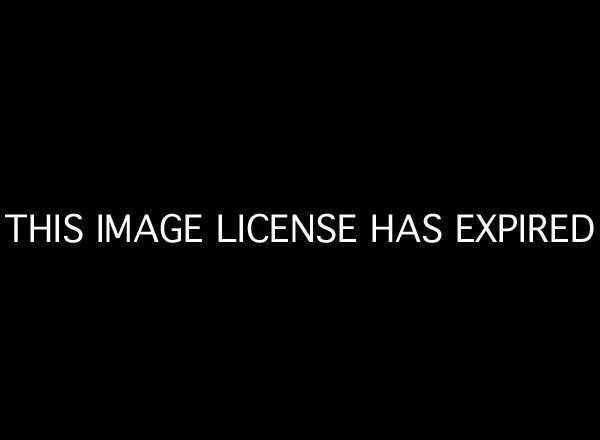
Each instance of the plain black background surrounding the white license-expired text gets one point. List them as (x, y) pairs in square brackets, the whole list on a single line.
[(368, 113)]
